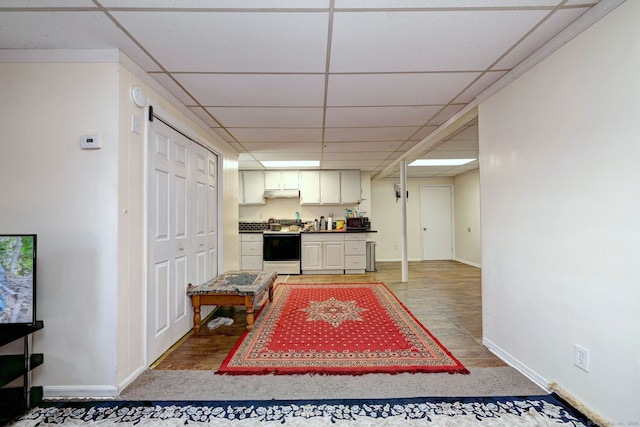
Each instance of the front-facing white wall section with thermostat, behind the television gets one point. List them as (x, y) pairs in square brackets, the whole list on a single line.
[(69, 197)]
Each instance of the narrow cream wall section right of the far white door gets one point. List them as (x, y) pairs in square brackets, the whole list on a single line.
[(466, 200)]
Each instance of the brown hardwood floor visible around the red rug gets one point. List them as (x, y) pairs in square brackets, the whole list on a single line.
[(443, 295)]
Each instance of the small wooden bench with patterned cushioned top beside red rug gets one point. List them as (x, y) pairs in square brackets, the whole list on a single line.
[(238, 288)]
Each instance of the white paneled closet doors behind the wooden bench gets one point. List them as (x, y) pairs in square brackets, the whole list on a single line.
[(180, 219)]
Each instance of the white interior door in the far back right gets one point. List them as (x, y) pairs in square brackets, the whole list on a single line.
[(436, 219)]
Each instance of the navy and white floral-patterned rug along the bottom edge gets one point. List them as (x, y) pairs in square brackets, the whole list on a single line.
[(547, 410)]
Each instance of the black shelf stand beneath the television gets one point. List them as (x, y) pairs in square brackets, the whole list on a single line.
[(15, 399)]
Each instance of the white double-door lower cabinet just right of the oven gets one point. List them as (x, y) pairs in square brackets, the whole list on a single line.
[(322, 253)]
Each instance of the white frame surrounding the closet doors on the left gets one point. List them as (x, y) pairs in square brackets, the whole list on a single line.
[(153, 113)]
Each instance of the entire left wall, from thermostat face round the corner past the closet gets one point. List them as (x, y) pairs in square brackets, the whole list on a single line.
[(87, 208)]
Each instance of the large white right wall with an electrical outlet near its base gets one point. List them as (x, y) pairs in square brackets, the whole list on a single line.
[(560, 199)]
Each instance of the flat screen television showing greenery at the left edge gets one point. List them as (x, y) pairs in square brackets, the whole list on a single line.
[(17, 279)]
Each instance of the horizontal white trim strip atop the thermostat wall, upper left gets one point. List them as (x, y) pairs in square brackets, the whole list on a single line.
[(60, 55)]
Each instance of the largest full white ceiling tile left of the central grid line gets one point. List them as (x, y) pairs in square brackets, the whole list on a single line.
[(232, 41)]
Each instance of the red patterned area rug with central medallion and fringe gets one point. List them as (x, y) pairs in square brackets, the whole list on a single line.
[(349, 329)]
